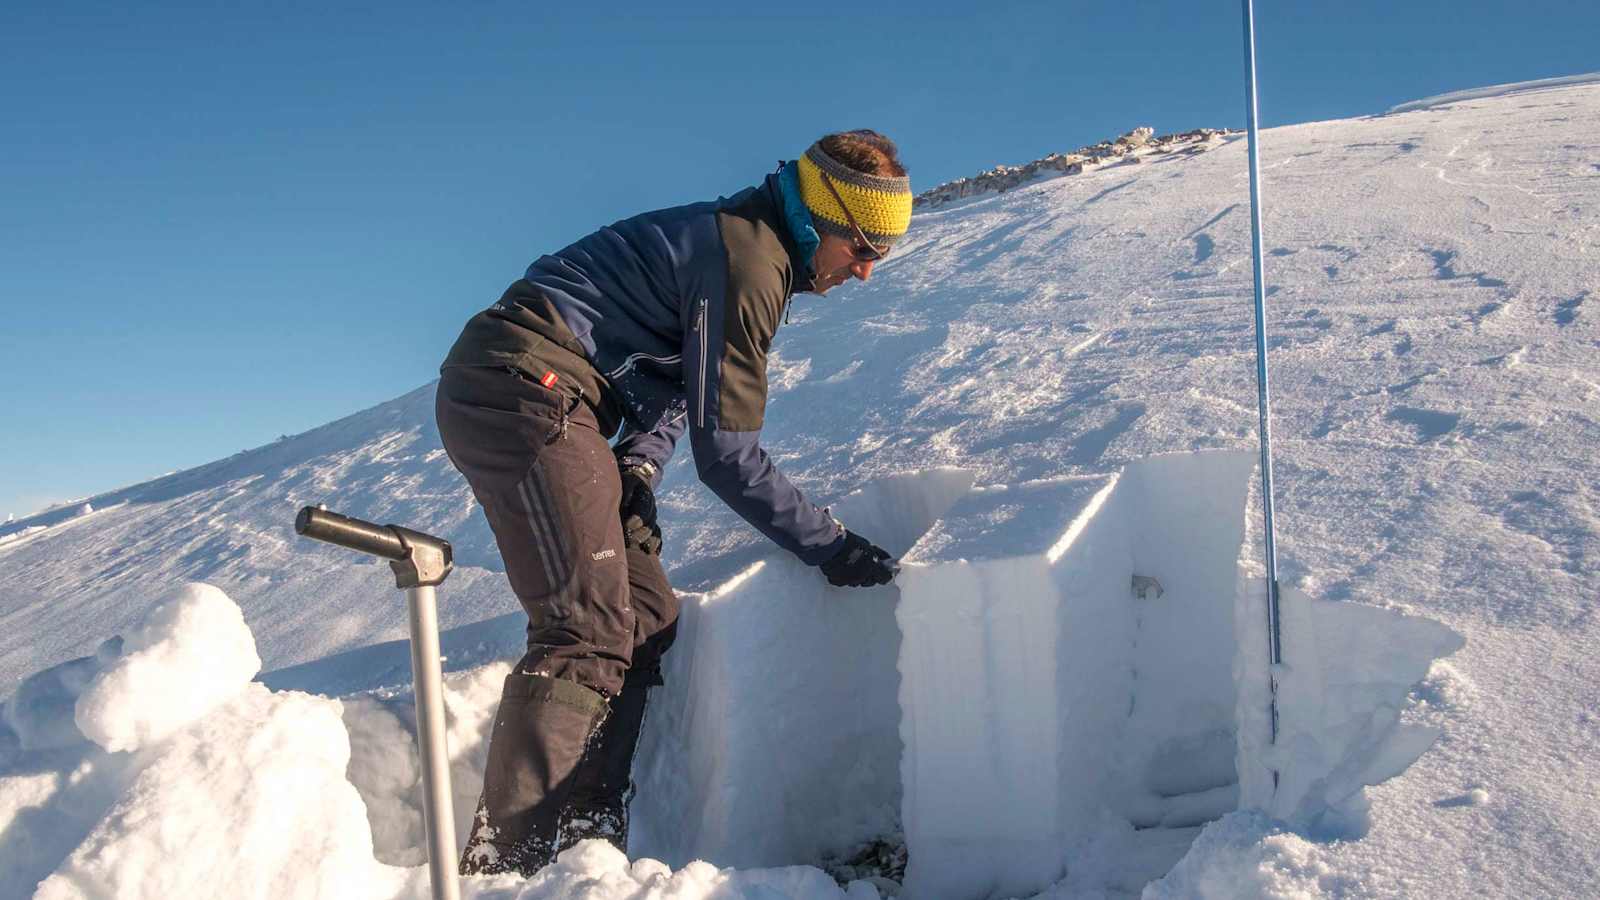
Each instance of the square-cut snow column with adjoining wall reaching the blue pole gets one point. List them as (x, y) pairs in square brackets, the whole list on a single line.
[(1039, 691)]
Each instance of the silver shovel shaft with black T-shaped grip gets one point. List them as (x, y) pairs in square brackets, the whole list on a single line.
[(420, 563)]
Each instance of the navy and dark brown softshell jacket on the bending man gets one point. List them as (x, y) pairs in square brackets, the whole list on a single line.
[(674, 313)]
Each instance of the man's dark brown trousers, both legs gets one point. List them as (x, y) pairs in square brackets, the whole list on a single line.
[(601, 616)]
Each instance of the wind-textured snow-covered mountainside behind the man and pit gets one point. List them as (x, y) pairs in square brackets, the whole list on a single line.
[(1438, 396)]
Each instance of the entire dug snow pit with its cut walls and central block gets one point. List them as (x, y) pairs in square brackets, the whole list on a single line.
[(1068, 678)]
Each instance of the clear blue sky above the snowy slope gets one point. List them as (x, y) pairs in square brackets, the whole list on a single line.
[(222, 223)]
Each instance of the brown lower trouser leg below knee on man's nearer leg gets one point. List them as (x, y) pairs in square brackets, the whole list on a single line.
[(540, 736)]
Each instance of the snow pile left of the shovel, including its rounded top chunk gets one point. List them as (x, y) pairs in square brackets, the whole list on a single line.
[(198, 782)]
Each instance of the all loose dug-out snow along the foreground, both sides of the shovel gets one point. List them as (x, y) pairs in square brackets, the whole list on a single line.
[(202, 784)]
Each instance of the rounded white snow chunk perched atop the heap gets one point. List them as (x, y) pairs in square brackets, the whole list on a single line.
[(190, 654)]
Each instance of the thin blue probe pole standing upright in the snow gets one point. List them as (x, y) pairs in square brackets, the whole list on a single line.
[(1263, 400)]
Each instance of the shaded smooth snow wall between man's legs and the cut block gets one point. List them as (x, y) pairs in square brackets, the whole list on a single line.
[(814, 669)]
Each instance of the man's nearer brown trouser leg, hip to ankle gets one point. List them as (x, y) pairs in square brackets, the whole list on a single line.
[(550, 489)]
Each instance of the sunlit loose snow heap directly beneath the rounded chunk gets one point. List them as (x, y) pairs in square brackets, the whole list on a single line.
[(250, 802)]
